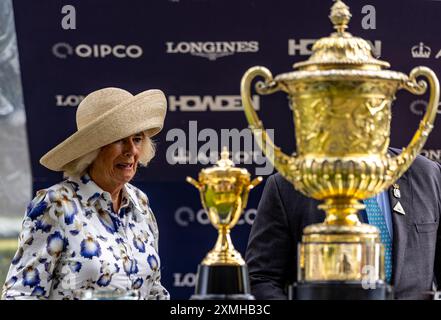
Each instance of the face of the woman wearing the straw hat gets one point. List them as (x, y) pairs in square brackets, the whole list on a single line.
[(117, 162)]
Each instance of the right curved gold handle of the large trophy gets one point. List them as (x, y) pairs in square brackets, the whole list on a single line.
[(409, 153)]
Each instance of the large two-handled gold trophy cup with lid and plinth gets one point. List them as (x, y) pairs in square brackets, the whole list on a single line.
[(341, 101)]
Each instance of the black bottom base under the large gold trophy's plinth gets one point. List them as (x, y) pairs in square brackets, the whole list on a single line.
[(339, 290)]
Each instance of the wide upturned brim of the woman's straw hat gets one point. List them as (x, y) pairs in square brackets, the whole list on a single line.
[(143, 112)]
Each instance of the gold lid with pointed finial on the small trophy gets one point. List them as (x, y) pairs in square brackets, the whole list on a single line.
[(223, 167)]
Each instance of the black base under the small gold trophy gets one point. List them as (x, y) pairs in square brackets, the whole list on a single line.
[(222, 283)]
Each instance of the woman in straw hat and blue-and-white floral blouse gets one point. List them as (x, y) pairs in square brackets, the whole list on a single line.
[(94, 231)]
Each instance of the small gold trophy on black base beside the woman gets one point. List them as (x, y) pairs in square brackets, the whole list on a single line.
[(224, 191)]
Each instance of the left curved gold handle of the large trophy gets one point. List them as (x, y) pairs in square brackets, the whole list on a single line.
[(280, 160)]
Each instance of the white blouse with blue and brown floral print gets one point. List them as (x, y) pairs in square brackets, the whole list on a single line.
[(72, 241)]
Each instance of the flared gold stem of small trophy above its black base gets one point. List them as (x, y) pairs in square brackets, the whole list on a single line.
[(223, 252)]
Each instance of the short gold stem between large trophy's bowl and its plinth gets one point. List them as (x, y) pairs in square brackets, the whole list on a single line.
[(341, 211)]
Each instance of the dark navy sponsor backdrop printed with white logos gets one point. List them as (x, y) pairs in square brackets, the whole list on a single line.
[(197, 51)]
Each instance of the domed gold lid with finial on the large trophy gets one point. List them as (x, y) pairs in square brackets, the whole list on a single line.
[(341, 50)]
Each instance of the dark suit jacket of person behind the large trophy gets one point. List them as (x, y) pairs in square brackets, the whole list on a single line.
[(283, 213)]
